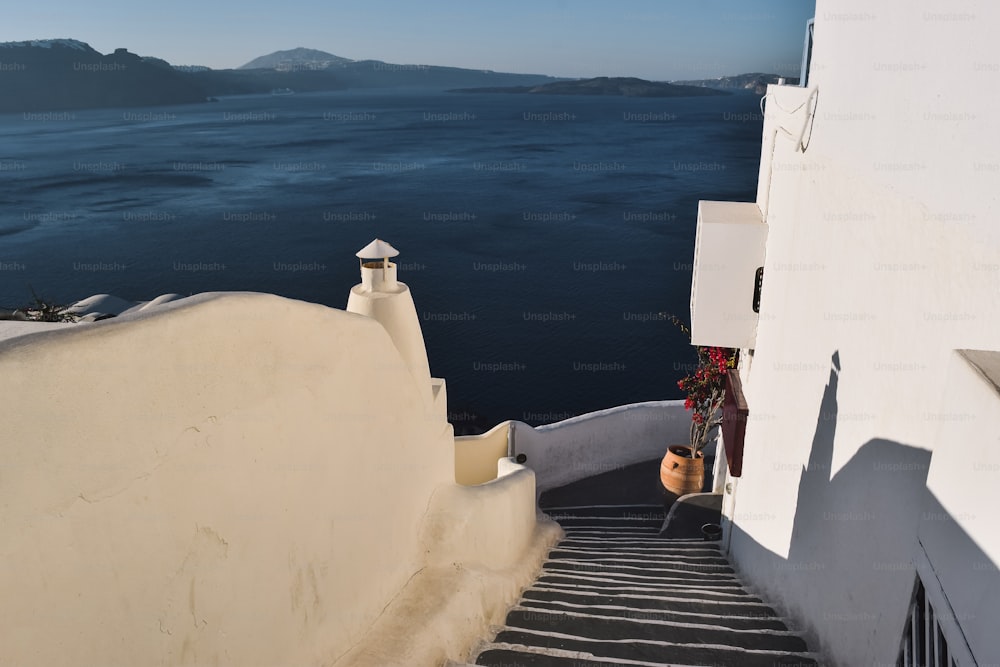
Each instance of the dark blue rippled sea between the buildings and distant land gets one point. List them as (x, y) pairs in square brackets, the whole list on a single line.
[(541, 236)]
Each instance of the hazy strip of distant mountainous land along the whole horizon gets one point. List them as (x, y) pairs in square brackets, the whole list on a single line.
[(67, 74)]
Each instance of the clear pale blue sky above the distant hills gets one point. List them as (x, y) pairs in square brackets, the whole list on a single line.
[(653, 39)]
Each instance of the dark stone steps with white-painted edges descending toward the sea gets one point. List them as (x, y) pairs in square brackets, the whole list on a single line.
[(614, 592)]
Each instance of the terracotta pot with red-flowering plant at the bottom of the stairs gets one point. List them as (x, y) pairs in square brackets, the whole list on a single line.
[(682, 470)]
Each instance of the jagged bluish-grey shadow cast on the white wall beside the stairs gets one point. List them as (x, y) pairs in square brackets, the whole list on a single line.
[(850, 569)]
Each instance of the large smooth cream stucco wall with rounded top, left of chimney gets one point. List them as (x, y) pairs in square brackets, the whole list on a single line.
[(233, 479)]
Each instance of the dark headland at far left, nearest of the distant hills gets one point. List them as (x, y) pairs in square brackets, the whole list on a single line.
[(63, 74)]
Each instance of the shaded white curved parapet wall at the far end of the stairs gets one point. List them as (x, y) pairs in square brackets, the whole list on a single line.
[(602, 441)]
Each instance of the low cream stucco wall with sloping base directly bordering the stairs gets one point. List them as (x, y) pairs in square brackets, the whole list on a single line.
[(485, 545)]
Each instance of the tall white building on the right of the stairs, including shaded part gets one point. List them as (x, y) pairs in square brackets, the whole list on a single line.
[(872, 379)]
